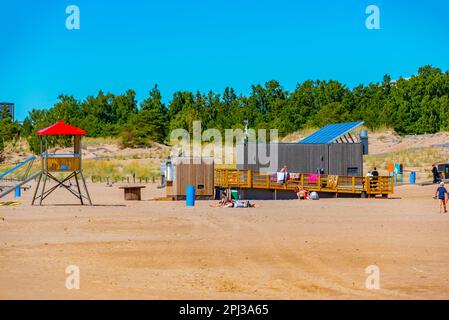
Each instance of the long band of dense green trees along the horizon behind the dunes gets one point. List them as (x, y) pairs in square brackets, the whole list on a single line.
[(411, 106)]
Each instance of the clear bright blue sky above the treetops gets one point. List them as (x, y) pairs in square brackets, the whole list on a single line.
[(210, 44)]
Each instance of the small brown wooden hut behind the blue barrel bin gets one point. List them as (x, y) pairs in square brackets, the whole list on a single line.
[(181, 172)]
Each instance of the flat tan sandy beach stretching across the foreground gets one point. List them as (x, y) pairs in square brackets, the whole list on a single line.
[(281, 250)]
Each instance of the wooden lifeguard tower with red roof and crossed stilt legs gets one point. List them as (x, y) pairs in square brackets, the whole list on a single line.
[(54, 164)]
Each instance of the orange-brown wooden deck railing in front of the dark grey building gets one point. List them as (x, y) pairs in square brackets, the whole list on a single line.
[(231, 178)]
